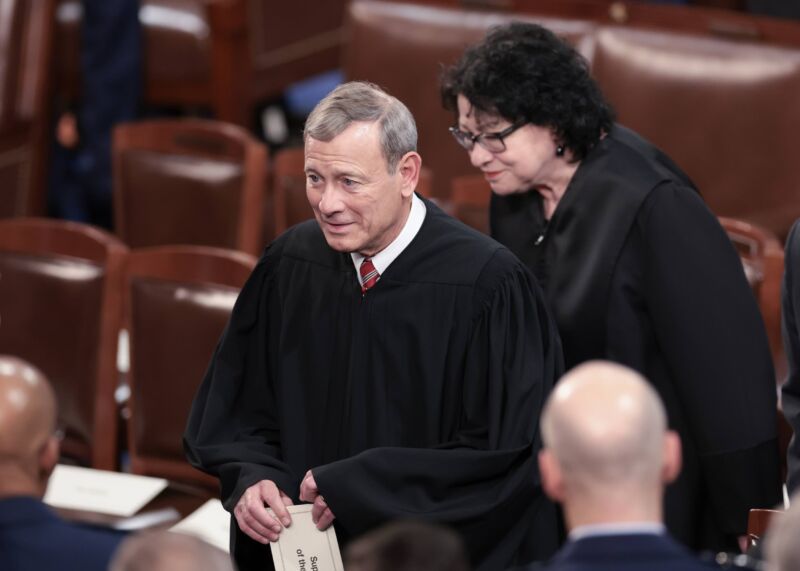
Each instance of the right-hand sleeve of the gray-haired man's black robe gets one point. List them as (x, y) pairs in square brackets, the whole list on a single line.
[(484, 482)]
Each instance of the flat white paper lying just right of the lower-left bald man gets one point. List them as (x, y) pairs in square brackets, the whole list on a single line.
[(100, 491)]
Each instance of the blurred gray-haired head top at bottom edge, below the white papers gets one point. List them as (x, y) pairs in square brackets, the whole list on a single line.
[(168, 551)]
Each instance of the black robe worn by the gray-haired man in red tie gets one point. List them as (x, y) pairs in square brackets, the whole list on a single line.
[(420, 399)]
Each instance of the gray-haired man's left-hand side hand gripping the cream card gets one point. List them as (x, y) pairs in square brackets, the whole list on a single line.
[(253, 517)]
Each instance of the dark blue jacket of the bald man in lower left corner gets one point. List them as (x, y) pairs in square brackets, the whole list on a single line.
[(33, 538)]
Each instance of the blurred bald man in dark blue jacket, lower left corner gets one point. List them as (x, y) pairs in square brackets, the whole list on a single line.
[(32, 537)]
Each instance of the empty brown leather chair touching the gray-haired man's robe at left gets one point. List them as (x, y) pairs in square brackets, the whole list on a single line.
[(177, 302)]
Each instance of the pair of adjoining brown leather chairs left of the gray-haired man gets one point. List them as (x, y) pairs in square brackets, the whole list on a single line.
[(66, 292)]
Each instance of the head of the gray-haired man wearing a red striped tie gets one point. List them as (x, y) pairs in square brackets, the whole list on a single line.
[(361, 167)]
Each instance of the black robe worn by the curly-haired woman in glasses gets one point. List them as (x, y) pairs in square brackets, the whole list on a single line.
[(637, 270)]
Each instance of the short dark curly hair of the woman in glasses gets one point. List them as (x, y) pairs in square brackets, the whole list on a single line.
[(524, 72)]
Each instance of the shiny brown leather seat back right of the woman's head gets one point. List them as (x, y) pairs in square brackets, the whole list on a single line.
[(721, 110)]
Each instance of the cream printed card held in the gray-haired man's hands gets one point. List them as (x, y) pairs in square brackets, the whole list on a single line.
[(302, 547)]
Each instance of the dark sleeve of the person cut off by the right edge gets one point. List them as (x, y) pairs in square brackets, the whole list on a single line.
[(791, 342)]
